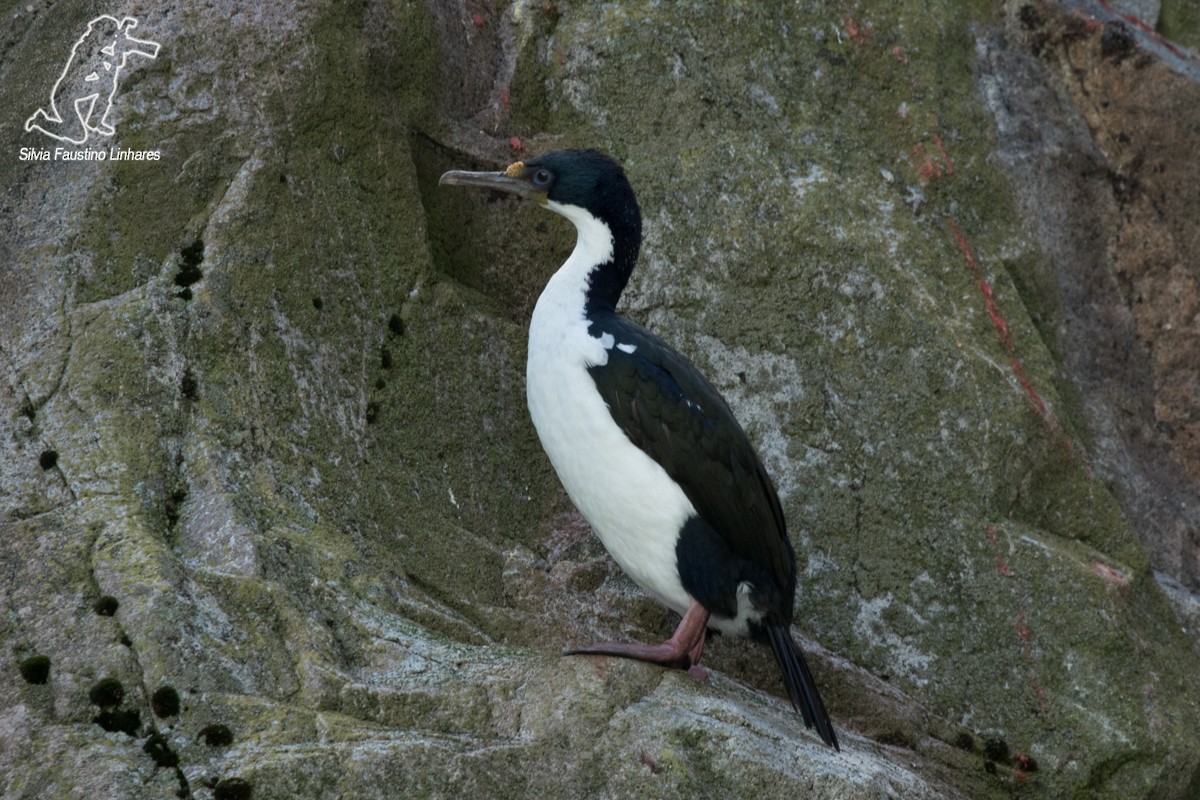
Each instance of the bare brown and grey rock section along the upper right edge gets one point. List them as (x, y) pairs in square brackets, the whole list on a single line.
[(1111, 191)]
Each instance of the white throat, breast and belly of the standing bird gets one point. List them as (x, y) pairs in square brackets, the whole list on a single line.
[(632, 503)]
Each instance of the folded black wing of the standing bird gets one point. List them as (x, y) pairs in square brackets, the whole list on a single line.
[(671, 412)]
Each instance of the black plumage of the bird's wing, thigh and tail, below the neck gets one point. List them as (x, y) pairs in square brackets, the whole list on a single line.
[(740, 537)]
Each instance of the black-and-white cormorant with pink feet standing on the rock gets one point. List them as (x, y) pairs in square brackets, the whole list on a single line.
[(647, 449)]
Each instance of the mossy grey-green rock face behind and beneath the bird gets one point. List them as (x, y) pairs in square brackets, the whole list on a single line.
[(275, 524)]
